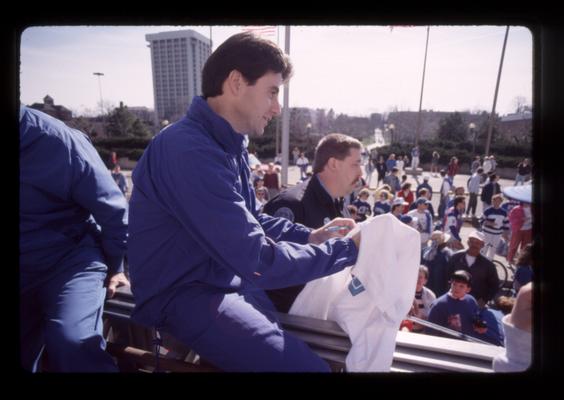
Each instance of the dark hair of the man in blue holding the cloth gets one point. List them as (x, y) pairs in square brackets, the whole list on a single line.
[(252, 56)]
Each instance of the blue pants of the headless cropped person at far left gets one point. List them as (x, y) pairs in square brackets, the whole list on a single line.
[(64, 318)]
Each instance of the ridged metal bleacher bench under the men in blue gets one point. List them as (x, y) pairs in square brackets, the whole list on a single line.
[(132, 345)]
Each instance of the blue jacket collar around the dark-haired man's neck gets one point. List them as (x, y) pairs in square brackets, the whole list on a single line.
[(216, 126)]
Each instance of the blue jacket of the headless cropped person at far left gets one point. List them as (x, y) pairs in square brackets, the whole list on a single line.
[(71, 210)]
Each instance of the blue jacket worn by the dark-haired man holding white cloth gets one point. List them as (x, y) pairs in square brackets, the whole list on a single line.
[(193, 221)]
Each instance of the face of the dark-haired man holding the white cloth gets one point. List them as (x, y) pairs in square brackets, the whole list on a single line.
[(259, 103)]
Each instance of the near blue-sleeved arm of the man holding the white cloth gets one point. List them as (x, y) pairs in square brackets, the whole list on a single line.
[(214, 214)]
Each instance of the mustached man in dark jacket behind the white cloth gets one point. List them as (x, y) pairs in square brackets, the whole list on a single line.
[(317, 201)]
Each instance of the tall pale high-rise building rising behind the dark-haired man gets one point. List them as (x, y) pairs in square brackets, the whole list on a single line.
[(177, 59)]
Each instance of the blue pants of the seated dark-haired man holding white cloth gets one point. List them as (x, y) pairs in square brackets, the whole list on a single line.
[(237, 332)]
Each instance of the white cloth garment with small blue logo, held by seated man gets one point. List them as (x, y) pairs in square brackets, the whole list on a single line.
[(370, 299)]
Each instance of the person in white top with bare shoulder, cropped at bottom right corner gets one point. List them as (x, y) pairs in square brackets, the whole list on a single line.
[(518, 334)]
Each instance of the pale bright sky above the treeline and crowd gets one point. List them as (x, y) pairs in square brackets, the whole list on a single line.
[(353, 69)]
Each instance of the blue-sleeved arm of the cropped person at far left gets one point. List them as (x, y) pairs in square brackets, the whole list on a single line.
[(94, 189)]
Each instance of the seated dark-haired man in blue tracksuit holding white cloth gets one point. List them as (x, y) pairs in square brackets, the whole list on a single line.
[(200, 255)]
